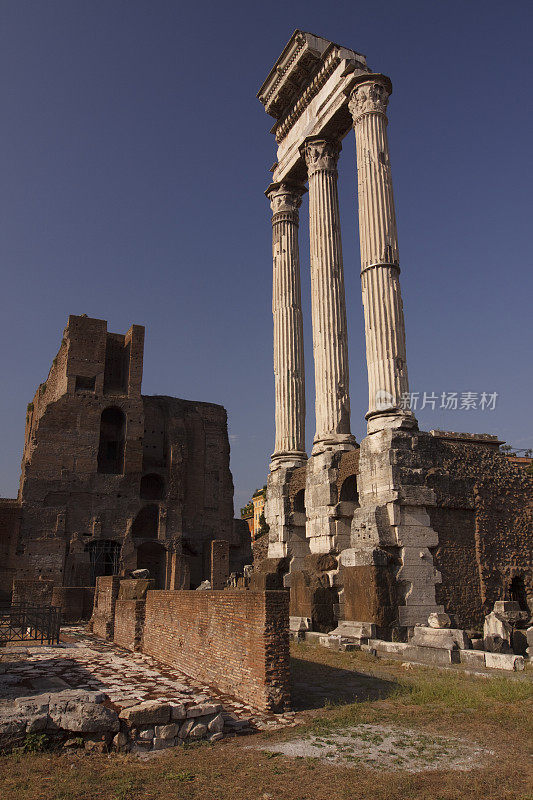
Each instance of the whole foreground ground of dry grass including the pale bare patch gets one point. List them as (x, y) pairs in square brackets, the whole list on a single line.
[(376, 730)]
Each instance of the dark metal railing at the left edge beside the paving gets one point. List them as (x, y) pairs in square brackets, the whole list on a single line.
[(28, 622)]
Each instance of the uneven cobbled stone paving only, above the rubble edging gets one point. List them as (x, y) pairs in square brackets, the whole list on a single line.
[(82, 661)]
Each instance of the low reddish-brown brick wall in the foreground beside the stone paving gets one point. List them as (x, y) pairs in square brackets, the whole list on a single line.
[(234, 641)]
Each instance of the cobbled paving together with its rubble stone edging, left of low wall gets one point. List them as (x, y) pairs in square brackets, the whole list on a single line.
[(126, 700)]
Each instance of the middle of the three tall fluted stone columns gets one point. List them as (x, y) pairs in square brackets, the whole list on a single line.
[(328, 305)]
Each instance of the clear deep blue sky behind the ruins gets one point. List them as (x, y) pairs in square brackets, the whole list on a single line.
[(132, 168)]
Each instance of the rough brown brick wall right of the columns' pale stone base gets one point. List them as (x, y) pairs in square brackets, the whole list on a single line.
[(483, 516)]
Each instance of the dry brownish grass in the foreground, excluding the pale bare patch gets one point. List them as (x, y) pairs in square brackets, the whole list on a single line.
[(493, 713)]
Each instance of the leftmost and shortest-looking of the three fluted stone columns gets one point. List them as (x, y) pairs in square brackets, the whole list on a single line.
[(289, 371)]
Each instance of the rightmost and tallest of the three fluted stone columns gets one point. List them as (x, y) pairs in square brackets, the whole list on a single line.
[(388, 384)]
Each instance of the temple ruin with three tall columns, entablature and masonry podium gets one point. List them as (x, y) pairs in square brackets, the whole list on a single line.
[(373, 537)]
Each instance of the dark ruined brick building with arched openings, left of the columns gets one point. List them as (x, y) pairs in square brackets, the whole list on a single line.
[(113, 480)]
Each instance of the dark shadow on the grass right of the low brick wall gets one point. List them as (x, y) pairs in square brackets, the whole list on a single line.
[(314, 685)]
